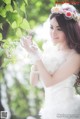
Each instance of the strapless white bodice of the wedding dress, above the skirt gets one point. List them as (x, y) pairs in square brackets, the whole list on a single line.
[(63, 90)]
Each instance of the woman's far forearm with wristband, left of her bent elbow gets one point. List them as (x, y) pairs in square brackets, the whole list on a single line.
[(34, 75)]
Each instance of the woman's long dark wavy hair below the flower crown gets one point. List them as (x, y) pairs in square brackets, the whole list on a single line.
[(71, 28)]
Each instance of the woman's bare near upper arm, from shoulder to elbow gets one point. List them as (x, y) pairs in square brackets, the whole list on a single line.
[(69, 67)]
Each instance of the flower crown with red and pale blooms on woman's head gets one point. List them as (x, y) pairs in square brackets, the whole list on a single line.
[(67, 12)]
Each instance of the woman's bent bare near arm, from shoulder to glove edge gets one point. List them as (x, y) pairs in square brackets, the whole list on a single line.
[(67, 68)]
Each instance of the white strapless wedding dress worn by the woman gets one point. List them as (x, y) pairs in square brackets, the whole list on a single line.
[(61, 100)]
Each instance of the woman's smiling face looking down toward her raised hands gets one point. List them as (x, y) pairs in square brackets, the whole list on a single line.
[(57, 35)]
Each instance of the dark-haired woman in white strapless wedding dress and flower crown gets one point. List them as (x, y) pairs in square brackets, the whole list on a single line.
[(59, 69)]
